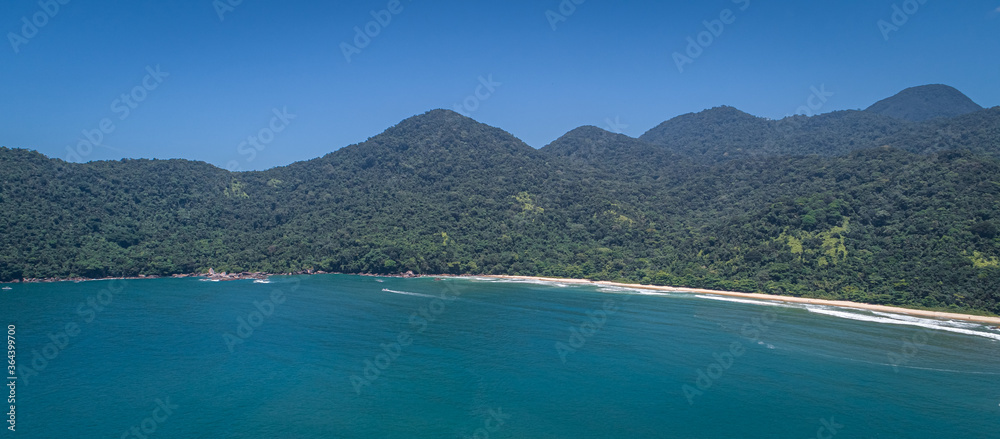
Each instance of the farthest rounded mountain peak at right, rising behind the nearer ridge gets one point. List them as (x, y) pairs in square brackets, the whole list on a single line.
[(926, 102)]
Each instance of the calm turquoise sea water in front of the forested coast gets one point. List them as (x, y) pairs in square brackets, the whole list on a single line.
[(480, 358)]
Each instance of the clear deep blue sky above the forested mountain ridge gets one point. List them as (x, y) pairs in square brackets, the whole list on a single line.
[(604, 63)]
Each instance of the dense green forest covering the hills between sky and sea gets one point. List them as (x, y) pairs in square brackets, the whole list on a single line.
[(855, 205)]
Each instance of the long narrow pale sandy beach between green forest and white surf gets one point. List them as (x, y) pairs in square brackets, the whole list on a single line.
[(838, 303)]
